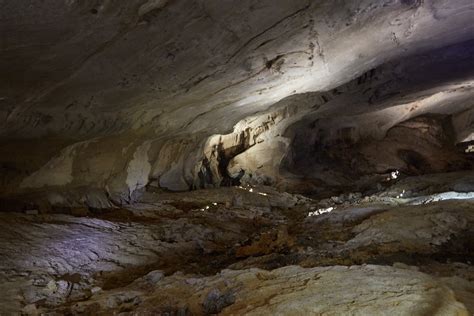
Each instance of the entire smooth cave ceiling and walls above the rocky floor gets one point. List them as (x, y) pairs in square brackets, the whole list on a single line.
[(101, 98)]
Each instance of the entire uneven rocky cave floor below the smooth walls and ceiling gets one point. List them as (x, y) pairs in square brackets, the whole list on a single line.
[(406, 250)]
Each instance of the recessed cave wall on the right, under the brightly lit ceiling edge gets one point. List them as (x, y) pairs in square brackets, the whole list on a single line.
[(340, 136)]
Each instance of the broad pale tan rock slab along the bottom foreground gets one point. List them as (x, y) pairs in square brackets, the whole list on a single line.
[(292, 290)]
